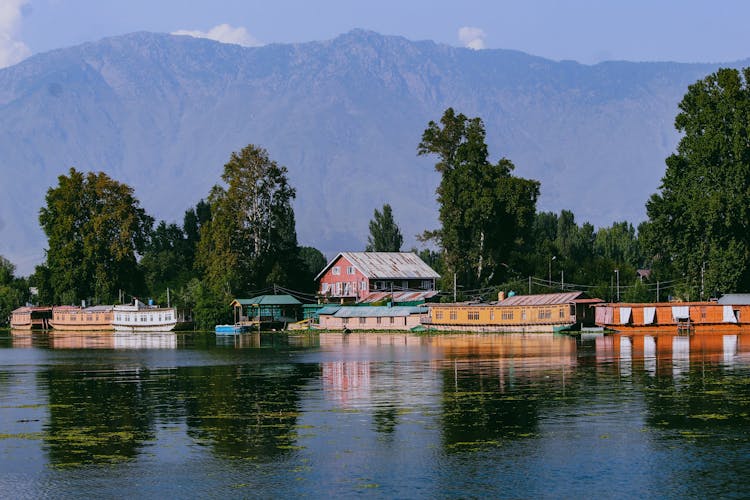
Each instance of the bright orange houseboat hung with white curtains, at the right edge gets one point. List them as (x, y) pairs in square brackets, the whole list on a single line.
[(730, 315)]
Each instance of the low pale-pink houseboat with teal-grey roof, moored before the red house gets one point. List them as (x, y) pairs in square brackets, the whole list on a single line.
[(371, 317)]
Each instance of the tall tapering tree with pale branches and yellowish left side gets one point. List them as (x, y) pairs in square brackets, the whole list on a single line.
[(250, 241)]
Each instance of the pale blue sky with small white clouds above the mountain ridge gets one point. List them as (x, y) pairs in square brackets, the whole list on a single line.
[(587, 31)]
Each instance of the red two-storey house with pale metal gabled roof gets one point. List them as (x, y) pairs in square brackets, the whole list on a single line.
[(352, 276)]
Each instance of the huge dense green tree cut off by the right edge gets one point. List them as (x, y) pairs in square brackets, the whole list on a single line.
[(699, 222)]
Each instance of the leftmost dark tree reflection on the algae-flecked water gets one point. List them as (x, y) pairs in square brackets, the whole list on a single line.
[(95, 417)]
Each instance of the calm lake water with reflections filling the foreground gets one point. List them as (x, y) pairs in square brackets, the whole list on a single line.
[(521, 416)]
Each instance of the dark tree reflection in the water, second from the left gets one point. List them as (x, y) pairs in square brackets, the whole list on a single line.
[(245, 411)]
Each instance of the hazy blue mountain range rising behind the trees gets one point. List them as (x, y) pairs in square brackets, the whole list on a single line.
[(163, 113)]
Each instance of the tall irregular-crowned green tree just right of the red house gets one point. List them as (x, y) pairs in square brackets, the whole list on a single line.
[(486, 214)]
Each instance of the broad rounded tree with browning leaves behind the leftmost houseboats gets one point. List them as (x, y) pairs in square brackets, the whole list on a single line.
[(95, 229)]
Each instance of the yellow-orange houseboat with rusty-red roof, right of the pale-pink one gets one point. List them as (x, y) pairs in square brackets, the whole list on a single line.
[(551, 312)]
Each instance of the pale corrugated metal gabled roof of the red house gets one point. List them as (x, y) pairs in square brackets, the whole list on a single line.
[(386, 265)]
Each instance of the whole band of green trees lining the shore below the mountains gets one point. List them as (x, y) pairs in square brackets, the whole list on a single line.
[(240, 240)]
